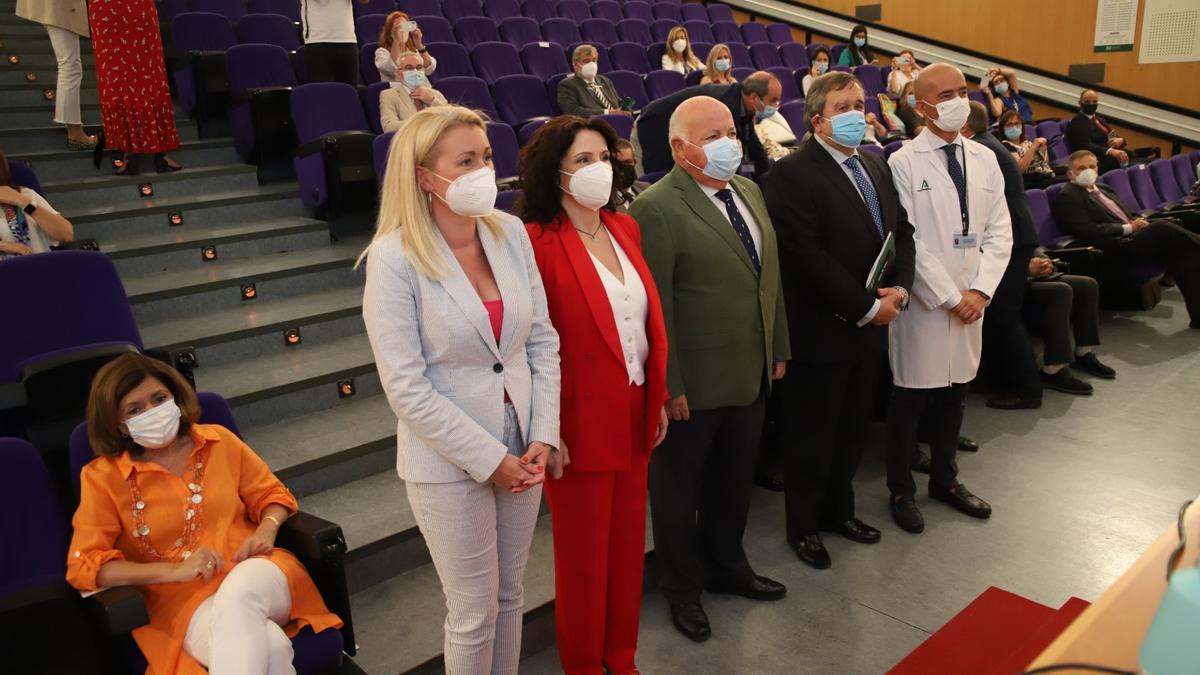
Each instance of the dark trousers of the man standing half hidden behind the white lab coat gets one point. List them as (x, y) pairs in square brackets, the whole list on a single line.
[(1006, 344)]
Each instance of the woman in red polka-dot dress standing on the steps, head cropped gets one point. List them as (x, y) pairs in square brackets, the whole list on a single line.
[(131, 76)]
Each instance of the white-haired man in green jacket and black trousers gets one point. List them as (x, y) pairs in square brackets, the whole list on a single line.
[(711, 248)]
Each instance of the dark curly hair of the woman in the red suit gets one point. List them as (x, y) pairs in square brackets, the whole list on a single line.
[(542, 199)]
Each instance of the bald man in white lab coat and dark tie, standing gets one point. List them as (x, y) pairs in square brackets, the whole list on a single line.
[(955, 194)]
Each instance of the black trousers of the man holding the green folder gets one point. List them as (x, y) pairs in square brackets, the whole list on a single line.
[(826, 410)]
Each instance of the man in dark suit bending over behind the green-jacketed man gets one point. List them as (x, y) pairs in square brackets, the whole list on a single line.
[(745, 100)]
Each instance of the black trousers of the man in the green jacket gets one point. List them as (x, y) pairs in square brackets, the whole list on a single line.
[(700, 498)]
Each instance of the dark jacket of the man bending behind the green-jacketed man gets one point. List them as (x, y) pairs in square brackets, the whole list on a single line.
[(652, 127)]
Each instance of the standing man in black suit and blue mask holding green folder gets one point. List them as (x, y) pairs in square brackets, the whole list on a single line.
[(833, 208)]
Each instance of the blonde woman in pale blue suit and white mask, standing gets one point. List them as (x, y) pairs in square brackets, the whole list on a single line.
[(458, 319)]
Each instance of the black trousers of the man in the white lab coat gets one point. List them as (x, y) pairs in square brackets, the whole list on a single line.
[(943, 410)]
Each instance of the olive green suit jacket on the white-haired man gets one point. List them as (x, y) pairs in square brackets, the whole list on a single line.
[(725, 325)]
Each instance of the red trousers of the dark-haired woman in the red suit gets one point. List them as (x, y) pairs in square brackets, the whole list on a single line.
[(599, 522)]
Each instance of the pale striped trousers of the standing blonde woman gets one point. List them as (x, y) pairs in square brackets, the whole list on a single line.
[(479, 537)]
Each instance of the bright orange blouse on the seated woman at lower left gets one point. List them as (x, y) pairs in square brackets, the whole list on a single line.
[(237, 488)]
